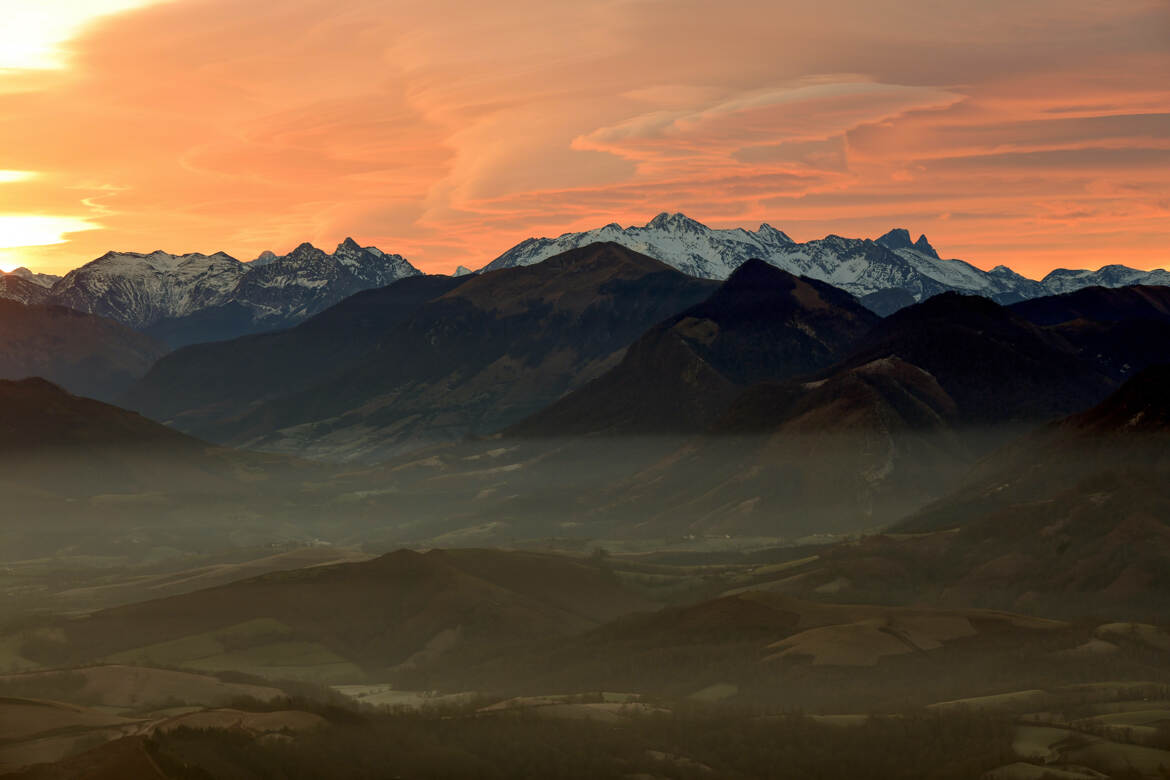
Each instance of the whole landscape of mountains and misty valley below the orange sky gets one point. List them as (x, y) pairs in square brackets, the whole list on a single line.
[(650, 502)]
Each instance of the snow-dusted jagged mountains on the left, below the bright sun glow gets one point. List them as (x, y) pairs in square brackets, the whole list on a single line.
[(154, 291)]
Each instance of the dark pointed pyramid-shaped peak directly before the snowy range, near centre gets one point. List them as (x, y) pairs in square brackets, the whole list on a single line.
[(762, 325)]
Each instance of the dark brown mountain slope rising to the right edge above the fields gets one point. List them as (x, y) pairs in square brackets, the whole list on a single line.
[(1071, 520)]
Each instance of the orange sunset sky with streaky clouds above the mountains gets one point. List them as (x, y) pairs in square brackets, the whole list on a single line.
[(1034, 134)]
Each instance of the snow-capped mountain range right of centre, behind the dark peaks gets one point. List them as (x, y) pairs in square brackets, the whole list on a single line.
[(886, 274)]
